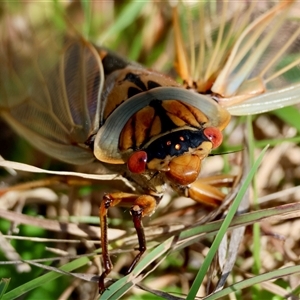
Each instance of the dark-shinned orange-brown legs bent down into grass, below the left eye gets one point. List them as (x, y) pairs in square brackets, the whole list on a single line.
[(141, 206)]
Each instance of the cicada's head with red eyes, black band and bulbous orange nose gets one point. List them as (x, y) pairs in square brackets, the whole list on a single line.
[(177, 154)]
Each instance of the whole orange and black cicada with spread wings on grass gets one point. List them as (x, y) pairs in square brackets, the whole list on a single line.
[(84, 104)]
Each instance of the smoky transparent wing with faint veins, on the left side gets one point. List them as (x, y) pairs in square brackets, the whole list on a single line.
[(50, 84)]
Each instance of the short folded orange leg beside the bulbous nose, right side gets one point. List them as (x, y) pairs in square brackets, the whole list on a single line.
[(207, 190)]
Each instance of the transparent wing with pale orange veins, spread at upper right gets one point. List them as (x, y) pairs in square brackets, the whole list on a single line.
[(246, 53)]
